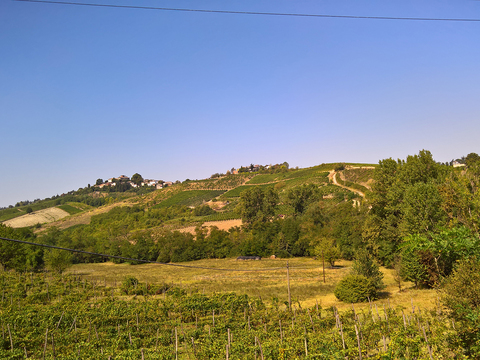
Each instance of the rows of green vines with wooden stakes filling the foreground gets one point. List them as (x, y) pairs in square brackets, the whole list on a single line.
[(45, 316)]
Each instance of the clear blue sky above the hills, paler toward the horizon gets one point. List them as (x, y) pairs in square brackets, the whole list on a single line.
[(89, 92)]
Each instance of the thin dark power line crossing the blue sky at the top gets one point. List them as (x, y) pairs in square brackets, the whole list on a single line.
[(255, 12)]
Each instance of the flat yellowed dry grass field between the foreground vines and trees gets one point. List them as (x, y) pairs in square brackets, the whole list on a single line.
[(306, 280)]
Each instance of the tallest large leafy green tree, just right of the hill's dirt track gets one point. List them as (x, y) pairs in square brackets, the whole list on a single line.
[(405, 199)]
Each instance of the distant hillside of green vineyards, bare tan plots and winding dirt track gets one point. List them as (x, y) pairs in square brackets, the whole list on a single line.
[(221, 194)]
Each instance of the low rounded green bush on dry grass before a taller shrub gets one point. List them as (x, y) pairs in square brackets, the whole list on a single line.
[(355, 288)]
